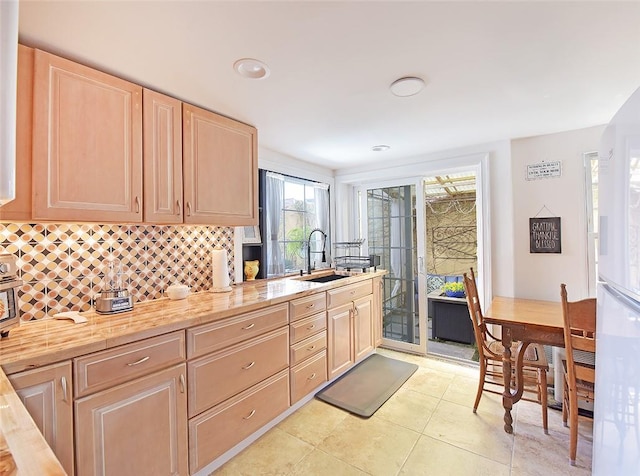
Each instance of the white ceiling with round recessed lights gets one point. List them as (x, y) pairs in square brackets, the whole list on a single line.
[(494, 70)]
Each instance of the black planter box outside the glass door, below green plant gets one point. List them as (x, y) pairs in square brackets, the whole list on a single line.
[(450, 320)]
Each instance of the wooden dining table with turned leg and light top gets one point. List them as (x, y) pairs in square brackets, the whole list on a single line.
[(526, 321)]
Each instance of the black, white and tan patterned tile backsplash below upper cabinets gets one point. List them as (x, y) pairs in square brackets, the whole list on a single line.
[(62, 265)]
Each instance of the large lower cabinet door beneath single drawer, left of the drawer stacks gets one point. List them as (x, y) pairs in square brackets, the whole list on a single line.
[(136, 428)]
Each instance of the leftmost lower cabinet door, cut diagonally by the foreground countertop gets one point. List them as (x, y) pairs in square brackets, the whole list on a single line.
[(46, 393)]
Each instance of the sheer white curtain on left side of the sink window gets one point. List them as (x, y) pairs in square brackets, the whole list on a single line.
[(275, 202)]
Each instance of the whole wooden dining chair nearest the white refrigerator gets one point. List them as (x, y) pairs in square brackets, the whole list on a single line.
[(579, 378)]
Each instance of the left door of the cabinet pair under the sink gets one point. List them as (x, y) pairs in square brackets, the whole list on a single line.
[(340, 339)]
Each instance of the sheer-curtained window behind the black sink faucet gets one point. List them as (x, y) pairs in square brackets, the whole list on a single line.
[(294, 207)]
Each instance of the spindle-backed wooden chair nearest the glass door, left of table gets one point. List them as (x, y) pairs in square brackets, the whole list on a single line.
[(490, 351)]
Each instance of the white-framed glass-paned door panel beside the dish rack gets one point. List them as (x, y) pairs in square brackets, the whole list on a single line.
[(392, 223)]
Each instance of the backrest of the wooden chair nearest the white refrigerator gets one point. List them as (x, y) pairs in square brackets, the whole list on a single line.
[(579, 332)]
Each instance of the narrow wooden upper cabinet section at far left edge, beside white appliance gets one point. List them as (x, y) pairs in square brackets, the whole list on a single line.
[(20, 208)]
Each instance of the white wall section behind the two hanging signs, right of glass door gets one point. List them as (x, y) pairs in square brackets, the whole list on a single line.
[(538, 275)]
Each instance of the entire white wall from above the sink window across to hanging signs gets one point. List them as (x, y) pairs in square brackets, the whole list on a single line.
[(513, 200)]
